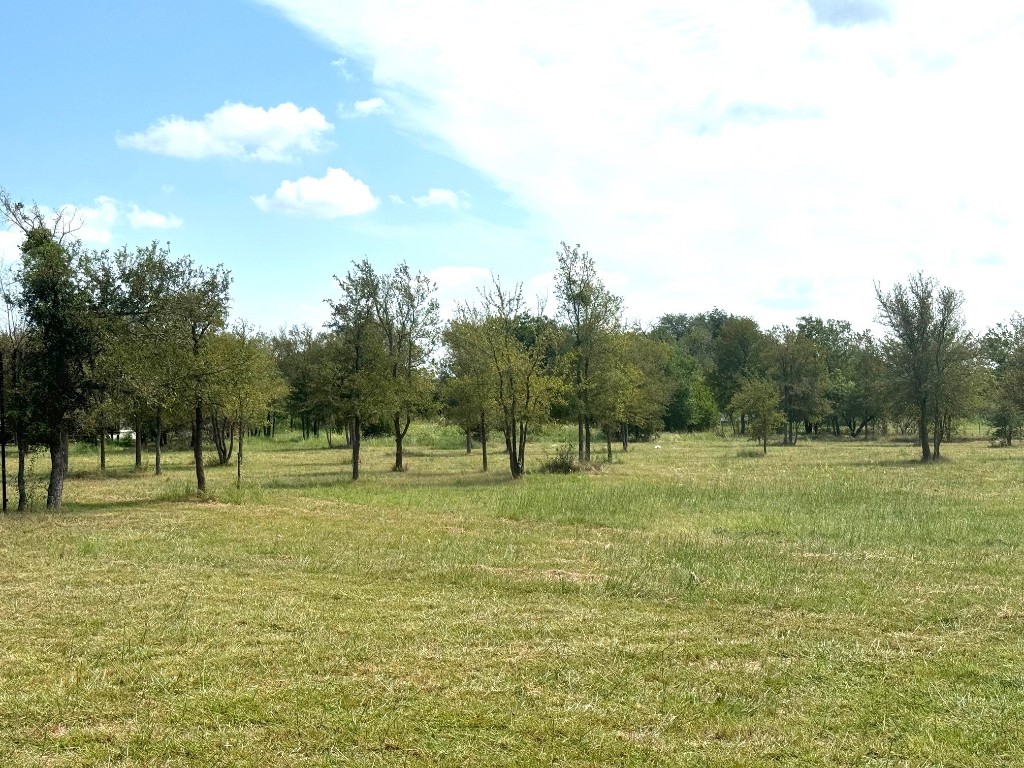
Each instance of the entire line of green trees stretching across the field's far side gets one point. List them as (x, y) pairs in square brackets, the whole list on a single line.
[(97, 342)]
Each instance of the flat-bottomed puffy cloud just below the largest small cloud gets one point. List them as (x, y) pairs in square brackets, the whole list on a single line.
[(336, 194)]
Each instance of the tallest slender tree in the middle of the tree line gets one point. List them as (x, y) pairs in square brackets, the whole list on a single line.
[(592, 316)]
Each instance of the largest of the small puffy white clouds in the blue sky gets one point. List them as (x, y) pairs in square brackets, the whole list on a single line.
[(237, 131)]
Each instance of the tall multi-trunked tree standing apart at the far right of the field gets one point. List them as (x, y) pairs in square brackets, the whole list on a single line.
[(927, 353)]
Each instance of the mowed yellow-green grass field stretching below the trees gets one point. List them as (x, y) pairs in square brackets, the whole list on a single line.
[(693, 604)]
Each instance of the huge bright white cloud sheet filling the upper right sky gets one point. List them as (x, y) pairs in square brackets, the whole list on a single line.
[(714, 153)]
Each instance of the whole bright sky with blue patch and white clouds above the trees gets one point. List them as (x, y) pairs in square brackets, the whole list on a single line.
[(772, 158)]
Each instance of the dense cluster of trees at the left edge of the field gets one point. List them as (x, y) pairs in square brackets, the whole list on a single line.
[(97, 340)]
